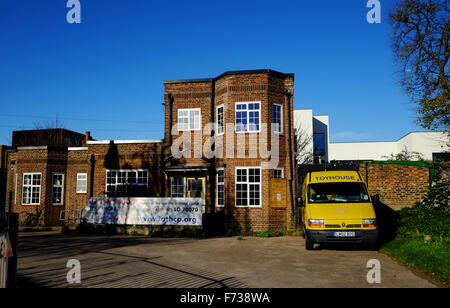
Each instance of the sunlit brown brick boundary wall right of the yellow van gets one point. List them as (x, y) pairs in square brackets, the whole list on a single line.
[(398, 185)]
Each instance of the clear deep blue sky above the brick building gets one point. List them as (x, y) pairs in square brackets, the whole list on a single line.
[(106, 74)]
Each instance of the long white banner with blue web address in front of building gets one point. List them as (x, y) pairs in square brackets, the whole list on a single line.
[(145, 211)]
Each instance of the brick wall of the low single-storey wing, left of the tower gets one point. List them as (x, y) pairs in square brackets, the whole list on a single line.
[(69, 163)]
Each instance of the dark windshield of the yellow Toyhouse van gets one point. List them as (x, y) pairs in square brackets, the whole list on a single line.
[(337, 193)]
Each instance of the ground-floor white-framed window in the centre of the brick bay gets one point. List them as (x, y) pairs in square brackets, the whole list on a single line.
[(248, 187)]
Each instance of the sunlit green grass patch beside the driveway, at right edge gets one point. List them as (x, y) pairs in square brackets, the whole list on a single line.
[(422, 241)]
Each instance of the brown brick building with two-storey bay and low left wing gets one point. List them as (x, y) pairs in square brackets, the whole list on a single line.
[(228, 140)]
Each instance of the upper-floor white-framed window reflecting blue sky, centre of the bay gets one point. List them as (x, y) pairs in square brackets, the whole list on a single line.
[(248, 117)]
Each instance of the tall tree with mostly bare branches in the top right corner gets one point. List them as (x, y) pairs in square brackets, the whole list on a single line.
[(421, 32)]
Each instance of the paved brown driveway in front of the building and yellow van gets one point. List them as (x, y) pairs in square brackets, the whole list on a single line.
[(121, 261)]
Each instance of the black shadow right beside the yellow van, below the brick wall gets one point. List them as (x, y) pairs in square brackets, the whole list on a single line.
[(388, 222)]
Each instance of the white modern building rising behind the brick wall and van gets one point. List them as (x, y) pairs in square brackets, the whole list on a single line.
[(315, 130)]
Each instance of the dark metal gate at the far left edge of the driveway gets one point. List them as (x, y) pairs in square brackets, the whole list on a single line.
[(8, 264)]
